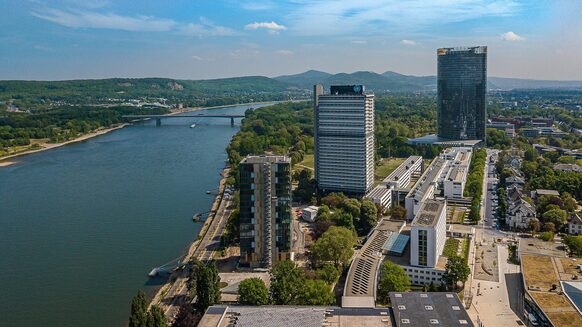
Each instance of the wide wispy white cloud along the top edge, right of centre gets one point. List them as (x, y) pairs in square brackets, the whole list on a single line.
[(372, 16)]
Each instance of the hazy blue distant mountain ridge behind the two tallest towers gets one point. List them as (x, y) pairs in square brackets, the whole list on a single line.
[(390, 81)]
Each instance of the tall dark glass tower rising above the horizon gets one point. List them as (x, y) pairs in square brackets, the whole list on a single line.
[(462, 84)]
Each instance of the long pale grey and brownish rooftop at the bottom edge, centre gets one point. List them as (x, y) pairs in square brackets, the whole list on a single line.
[(294, 316)]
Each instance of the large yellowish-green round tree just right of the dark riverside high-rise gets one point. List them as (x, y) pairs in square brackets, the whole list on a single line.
[(335, 245)]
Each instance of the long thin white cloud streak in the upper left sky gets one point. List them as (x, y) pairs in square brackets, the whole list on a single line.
[(91, 19)]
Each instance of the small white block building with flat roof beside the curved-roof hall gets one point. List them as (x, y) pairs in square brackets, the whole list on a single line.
[(428, 234)]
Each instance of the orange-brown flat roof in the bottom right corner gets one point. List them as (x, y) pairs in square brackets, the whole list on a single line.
[(541, 274)]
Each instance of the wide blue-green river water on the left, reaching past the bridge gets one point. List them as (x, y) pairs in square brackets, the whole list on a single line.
[(82, 225)]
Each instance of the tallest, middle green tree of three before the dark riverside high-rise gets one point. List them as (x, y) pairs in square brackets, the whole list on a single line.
[(286, 283)]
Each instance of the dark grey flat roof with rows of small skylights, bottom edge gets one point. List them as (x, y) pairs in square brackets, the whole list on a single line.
[(419, 309)]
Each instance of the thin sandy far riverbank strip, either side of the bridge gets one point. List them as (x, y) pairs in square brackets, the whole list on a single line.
[(4, 162)]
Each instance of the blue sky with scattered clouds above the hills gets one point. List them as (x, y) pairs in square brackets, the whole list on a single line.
[(200, 39)]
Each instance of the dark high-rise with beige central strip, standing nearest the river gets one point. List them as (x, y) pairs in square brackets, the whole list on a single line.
[(265, 210)]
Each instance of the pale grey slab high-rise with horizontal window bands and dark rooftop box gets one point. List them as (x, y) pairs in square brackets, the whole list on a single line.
[(344, 139)]
